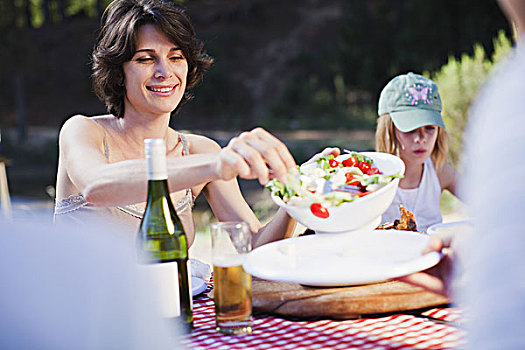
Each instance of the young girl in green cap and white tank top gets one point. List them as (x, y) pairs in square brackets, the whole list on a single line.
[(410, 126)]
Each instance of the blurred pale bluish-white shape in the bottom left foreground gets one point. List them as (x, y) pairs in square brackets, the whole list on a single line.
[(70, 287)]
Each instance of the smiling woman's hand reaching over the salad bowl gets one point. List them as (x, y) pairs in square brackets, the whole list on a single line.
[(252, 155)]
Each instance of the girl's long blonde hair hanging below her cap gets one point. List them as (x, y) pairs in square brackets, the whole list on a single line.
[(387, 142)]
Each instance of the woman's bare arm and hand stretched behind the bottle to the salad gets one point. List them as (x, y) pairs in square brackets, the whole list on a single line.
[(251, 155)]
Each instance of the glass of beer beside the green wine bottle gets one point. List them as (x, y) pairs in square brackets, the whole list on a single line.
[(232, 293)]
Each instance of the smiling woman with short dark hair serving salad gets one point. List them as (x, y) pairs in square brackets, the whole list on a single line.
[(145, 61)]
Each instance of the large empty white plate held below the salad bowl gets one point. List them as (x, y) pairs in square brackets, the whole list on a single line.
[(357, 257)]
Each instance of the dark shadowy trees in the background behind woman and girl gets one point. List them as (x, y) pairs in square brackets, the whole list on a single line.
[(330, 81)]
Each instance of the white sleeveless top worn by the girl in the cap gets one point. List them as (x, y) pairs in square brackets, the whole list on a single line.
[(422, 201)]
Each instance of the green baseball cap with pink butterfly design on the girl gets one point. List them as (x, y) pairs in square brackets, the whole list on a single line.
[(412, 101)]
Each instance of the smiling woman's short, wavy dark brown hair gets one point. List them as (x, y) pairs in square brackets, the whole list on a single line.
[(117, 39)]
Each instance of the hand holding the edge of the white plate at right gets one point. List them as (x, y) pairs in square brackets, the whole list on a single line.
[(437, 279)]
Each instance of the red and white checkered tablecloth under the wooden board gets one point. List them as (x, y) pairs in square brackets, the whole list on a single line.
[(400, 331)]
